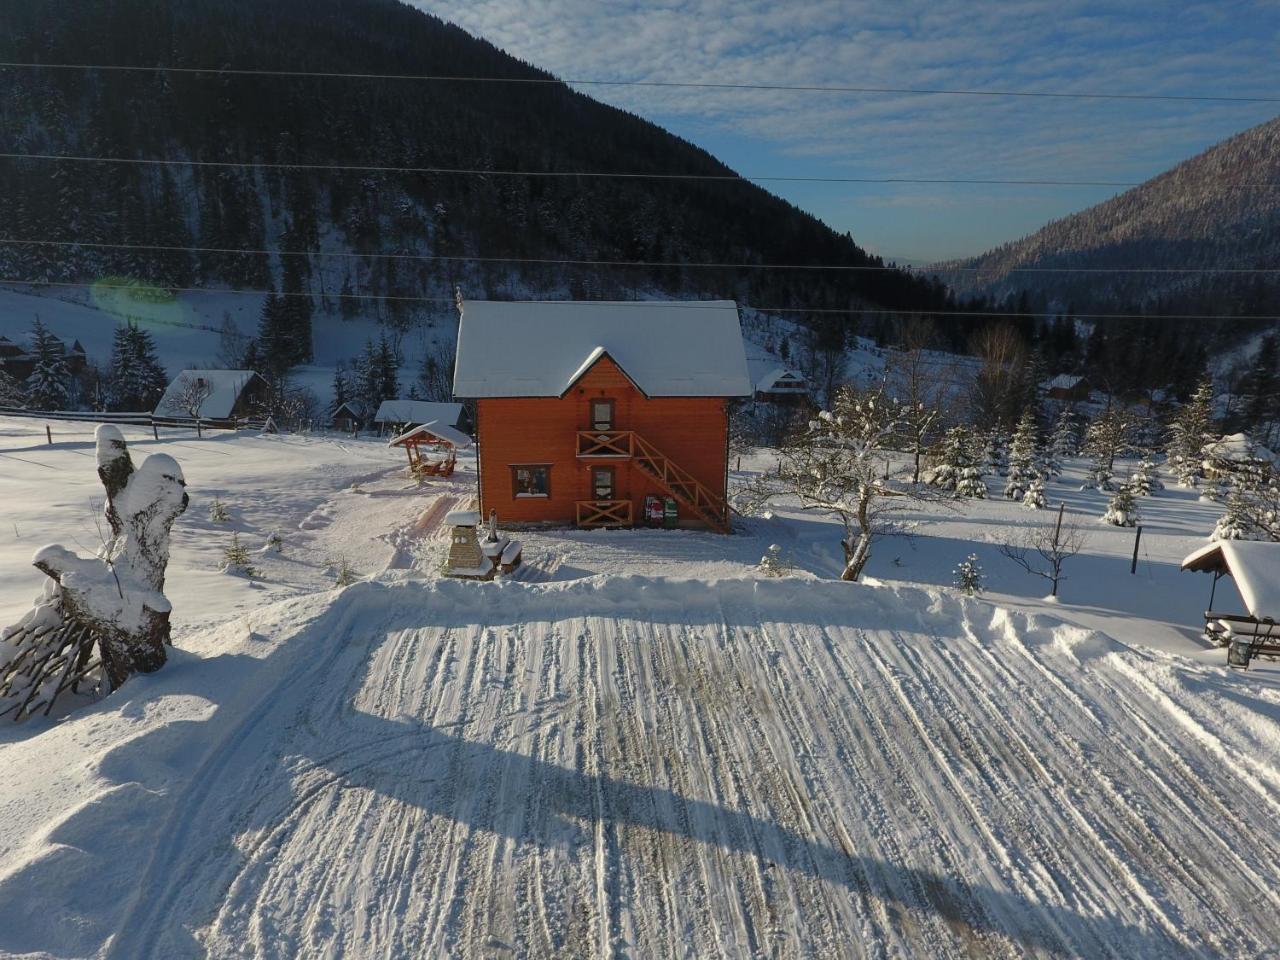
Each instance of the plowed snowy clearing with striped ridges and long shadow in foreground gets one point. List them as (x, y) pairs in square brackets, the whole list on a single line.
[(652, 769)]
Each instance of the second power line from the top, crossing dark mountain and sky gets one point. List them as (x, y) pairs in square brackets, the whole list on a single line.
[(586, 175)]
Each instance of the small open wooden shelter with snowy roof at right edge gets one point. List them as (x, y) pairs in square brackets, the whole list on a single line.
[(1255, 568)]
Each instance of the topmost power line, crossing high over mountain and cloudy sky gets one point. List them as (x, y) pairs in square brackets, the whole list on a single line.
[(691, 85)]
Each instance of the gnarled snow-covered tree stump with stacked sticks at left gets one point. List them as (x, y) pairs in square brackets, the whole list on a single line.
[(102, 619)]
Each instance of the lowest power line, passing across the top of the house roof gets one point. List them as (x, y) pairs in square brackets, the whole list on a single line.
[(696, 305)]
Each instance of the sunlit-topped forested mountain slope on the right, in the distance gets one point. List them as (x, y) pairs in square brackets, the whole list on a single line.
[(1199, 214)]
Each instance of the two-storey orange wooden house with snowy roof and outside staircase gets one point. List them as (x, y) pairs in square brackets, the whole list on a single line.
[(596, 414)]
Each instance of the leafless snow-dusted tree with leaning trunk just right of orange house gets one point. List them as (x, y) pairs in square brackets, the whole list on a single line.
[(838, 467)]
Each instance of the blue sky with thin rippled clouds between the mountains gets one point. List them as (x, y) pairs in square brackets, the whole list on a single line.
[(1229, 48)]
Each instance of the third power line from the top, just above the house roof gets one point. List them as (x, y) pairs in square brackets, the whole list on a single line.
[(646, 264)]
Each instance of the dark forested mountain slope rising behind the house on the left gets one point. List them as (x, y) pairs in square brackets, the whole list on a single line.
[(500, 127)]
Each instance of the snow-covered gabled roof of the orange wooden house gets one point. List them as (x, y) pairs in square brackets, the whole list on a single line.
[(669, 349)]
